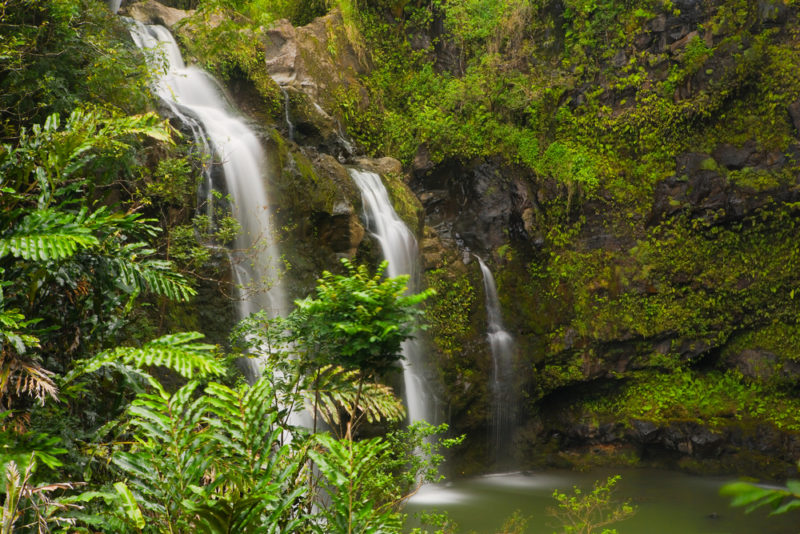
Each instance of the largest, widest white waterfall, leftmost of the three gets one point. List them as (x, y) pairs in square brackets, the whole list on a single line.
[(198, 101)]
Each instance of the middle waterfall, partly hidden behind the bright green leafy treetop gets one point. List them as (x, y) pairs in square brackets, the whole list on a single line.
[(399, 248)]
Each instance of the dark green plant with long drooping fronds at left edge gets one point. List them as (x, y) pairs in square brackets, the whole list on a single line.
[(55, 251)]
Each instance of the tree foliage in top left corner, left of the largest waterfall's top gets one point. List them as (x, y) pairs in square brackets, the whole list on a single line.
[(58, 54)]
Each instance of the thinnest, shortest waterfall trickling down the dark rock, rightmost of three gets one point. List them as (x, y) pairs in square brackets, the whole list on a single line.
[(502, 387)]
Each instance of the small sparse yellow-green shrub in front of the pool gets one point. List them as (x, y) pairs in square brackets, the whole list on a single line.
[(586, 512)]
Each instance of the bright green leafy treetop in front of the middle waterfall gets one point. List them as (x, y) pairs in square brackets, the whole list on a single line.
[(358, 320)]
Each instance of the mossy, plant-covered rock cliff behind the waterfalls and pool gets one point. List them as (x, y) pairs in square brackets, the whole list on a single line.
[(630, 173)]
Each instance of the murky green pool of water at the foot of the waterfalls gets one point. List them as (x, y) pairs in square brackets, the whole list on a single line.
[(667, 503)]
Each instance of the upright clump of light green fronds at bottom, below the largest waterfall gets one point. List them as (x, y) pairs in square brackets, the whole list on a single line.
[(211, 460)]
